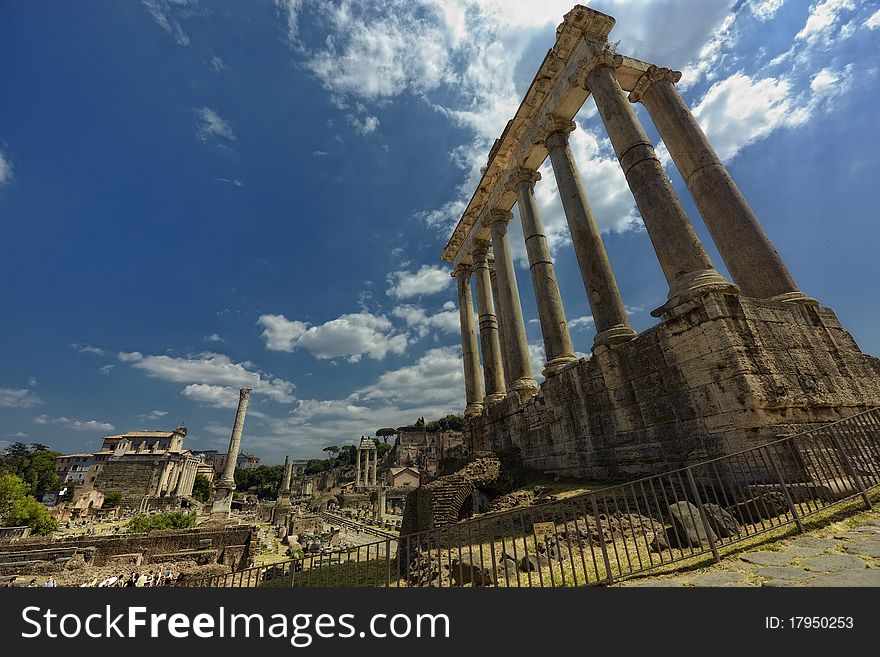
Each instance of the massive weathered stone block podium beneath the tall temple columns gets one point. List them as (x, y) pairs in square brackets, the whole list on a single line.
[(721, 374)]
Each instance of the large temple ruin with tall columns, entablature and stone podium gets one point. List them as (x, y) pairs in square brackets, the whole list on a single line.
[(731, 363)]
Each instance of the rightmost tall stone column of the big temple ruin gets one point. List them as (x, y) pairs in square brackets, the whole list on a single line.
[(754, 264)]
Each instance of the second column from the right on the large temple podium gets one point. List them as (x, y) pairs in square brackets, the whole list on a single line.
[(684, 261)]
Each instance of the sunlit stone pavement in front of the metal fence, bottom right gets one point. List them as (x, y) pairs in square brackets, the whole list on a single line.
[(824, 557)]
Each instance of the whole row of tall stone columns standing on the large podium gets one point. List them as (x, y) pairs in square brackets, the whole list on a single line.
[(754, 264)]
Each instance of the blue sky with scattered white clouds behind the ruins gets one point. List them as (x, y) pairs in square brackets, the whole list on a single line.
[(198, 196)]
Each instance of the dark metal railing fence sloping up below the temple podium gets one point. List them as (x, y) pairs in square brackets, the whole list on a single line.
[(613, 533)]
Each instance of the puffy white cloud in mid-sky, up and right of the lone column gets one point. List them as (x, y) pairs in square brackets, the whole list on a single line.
[(352, 335)]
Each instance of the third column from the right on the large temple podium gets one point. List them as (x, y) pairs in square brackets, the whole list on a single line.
[(606, 305)]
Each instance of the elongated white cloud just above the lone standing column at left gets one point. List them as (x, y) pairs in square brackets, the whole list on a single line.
[(214, 370)]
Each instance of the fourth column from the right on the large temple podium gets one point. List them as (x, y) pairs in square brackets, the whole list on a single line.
[(557, 340)]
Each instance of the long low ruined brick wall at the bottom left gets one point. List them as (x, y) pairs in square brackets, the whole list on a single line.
[(150, 545)]
